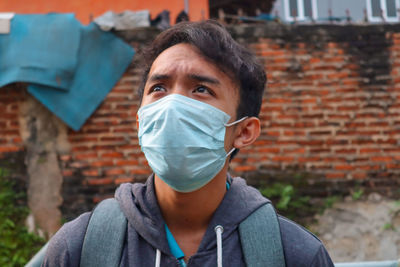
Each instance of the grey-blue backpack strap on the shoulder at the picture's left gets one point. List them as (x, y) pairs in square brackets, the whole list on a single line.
[(105, 236)]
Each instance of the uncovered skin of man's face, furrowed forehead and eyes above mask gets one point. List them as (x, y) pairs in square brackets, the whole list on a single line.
[(180, 69)]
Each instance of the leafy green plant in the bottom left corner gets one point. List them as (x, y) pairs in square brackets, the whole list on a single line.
[(17, 245)]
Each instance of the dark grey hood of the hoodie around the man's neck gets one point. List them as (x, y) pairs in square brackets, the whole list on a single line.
[(139, 204)]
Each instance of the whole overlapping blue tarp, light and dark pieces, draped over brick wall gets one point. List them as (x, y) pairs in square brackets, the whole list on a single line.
[(54, 52)]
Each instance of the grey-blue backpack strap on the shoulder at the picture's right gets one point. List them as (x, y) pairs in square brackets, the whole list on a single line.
[(260, 237)]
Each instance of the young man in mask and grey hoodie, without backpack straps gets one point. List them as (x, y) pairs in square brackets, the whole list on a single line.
[(201, 95)]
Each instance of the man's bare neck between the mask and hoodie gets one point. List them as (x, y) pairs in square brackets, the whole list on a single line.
[(191, 211)]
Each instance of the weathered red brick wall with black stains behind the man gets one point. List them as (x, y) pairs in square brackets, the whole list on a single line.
[(330, 116)]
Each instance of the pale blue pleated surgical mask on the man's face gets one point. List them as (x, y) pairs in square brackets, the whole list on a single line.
[(183, 140)]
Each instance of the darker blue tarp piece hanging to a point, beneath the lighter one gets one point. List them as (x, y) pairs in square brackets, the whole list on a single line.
[(102, 59)]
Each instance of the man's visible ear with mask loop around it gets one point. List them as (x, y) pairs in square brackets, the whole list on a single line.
[(247, 132)]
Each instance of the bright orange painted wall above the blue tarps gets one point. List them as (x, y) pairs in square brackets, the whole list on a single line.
[(198, 9)]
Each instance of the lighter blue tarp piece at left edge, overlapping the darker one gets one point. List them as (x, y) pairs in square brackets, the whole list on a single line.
[(40, 49)]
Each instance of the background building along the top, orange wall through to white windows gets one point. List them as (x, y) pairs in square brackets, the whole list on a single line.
[(289, 11)]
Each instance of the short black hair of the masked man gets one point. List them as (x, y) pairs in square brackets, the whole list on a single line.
[(216, 44)]
